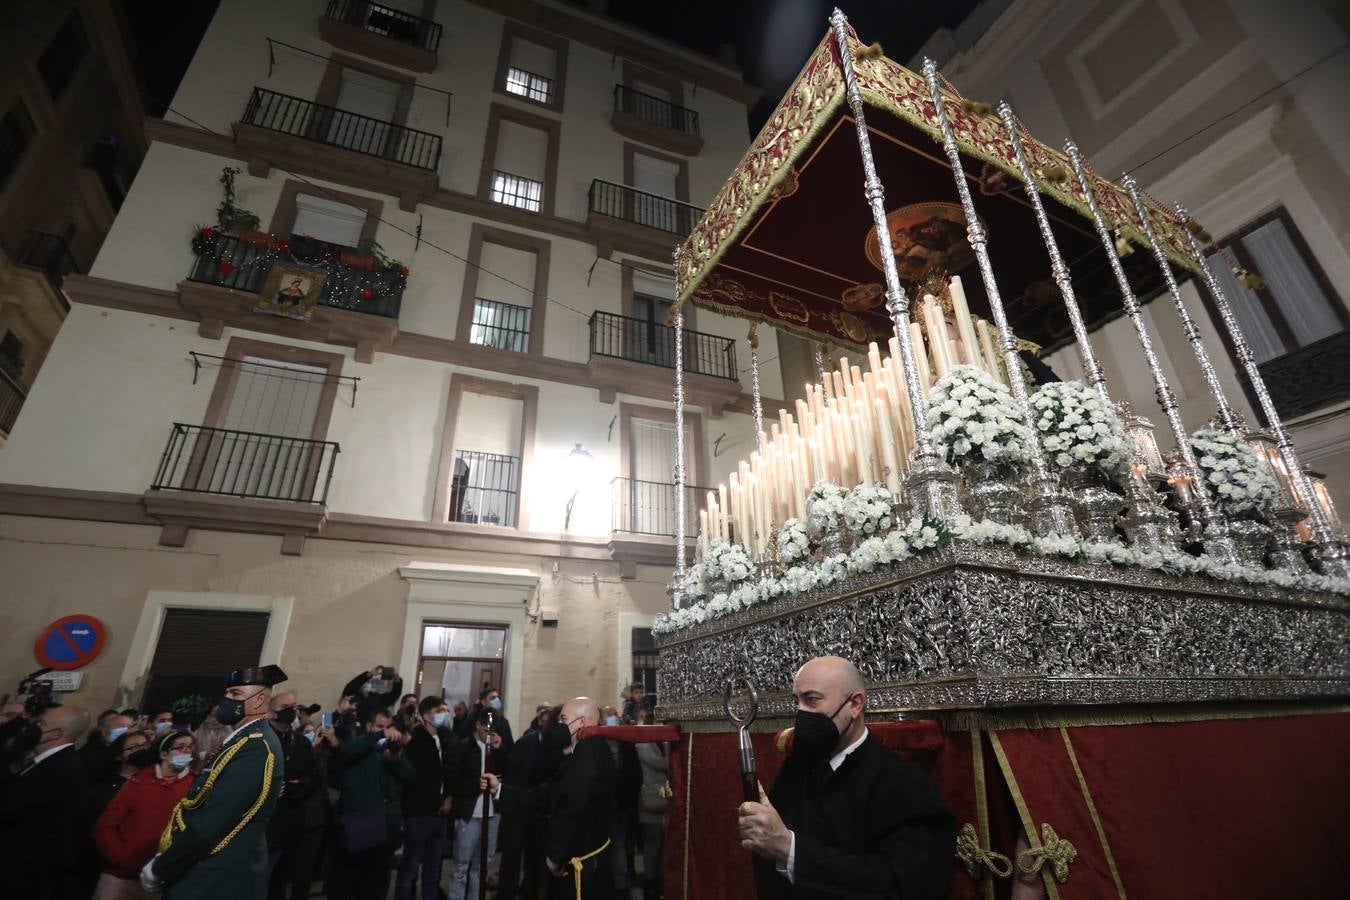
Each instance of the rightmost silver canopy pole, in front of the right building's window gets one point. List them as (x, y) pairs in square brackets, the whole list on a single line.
[(1330, 553)]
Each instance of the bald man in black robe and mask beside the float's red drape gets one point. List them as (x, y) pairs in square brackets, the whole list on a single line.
[(847, 817)]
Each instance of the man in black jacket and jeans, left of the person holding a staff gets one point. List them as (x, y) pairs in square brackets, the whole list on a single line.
[(426, 802)]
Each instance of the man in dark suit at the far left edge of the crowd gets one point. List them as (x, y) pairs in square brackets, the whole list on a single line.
[(41, 812)]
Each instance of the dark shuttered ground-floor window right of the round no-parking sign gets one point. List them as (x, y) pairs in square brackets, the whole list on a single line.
[(198, 650)]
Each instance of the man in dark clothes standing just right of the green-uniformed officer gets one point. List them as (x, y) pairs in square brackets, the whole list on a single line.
[(294, 843)]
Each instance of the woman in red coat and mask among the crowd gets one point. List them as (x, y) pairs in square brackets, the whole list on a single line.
[(129, 831)]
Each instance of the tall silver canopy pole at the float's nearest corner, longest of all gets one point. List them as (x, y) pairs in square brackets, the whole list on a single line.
[(932, 484)]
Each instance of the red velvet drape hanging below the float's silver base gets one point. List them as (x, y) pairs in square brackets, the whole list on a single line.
[(1235, 809)]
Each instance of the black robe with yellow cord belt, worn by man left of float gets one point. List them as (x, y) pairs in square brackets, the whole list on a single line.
[(580, 804)]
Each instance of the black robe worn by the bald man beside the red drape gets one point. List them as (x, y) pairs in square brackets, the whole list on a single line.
[(877, 828)]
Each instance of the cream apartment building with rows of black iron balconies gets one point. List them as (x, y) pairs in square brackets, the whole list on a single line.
[(416, 410)]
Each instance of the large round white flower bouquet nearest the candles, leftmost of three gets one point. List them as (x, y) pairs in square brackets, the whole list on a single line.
[(974, 420)]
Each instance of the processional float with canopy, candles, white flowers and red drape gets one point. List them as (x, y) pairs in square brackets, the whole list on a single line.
[(1093, 646)]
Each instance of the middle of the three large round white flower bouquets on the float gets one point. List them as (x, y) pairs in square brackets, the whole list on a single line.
[(1079, 430)]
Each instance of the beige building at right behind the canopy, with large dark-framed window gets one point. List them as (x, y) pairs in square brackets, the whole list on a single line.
[(1233, 109)]
